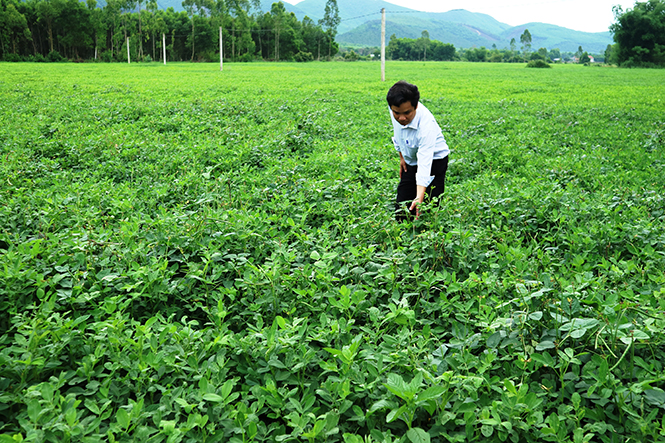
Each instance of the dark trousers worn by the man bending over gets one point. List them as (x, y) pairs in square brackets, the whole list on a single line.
[(407, 190)]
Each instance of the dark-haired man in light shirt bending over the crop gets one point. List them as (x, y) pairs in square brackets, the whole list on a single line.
[(423, 152)]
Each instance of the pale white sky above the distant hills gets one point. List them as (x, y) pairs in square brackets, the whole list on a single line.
[(580, 15)]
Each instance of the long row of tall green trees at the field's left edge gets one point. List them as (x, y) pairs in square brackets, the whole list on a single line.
[(50, 30)]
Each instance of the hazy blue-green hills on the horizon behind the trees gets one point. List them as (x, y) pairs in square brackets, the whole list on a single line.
[(361, 25)]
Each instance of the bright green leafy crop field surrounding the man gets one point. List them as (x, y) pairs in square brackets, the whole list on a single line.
[(189, 255)]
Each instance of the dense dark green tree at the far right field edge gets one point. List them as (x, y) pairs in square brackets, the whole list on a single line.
[(639, 34)]
